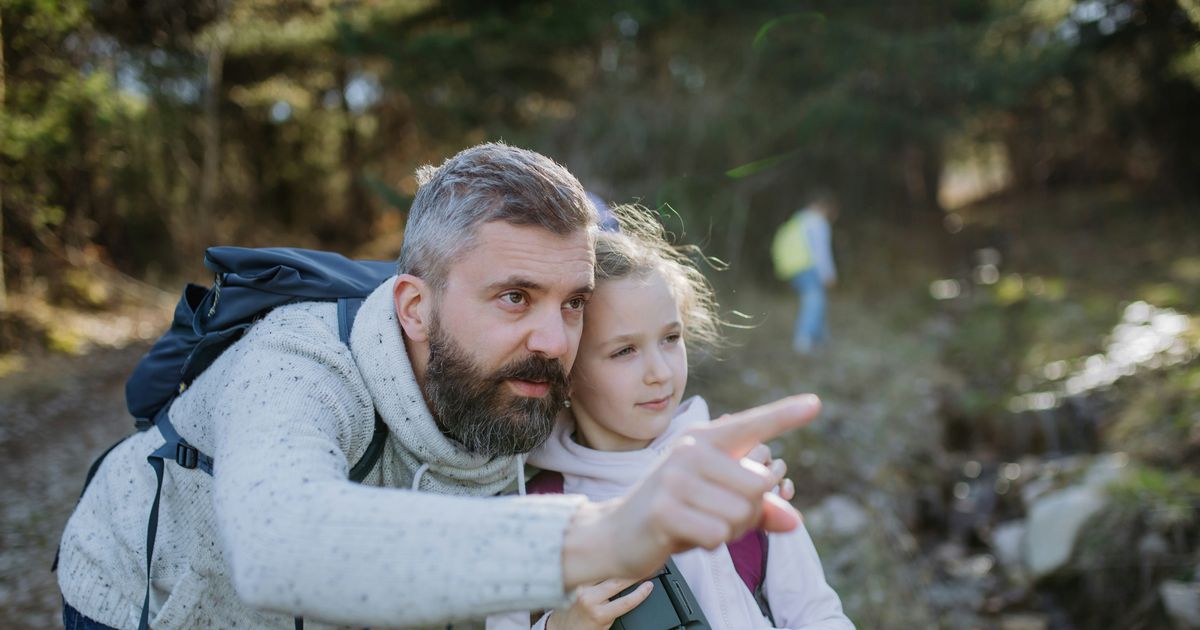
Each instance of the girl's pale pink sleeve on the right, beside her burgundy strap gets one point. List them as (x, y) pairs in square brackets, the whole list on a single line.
[(796, 589)]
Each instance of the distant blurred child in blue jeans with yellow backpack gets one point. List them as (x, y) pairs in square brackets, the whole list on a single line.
[(803, 256)]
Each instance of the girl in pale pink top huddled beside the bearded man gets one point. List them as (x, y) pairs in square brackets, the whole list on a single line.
[(627, 406)]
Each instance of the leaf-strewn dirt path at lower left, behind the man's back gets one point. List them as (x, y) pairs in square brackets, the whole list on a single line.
[(56, 417)]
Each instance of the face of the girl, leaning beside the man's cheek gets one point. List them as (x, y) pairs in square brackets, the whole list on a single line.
[(632, 368)]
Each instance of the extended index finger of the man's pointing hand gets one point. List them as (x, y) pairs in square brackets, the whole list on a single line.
[(737, 434)]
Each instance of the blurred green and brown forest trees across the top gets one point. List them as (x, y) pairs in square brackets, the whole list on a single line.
[(147, 131)]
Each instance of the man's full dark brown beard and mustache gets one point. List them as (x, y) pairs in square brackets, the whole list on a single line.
[(479, 411)]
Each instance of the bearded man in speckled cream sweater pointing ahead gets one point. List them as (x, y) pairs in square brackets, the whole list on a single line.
[(465, 356)]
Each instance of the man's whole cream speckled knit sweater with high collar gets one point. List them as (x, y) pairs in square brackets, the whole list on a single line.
[(279, 531)]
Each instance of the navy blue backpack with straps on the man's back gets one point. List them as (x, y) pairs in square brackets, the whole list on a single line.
[(249, 284)]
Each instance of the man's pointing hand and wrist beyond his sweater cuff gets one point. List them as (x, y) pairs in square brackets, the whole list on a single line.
[(700, 495)]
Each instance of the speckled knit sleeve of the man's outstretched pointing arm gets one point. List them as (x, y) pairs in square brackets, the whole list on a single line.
[(303, 541)]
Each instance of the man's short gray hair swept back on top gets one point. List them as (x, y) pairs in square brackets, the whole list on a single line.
[(483, 184)]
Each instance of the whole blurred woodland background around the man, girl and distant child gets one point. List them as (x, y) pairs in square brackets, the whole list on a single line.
[(1012, 392)]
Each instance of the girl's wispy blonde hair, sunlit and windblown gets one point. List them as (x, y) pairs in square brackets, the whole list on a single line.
[(643, 248)]
